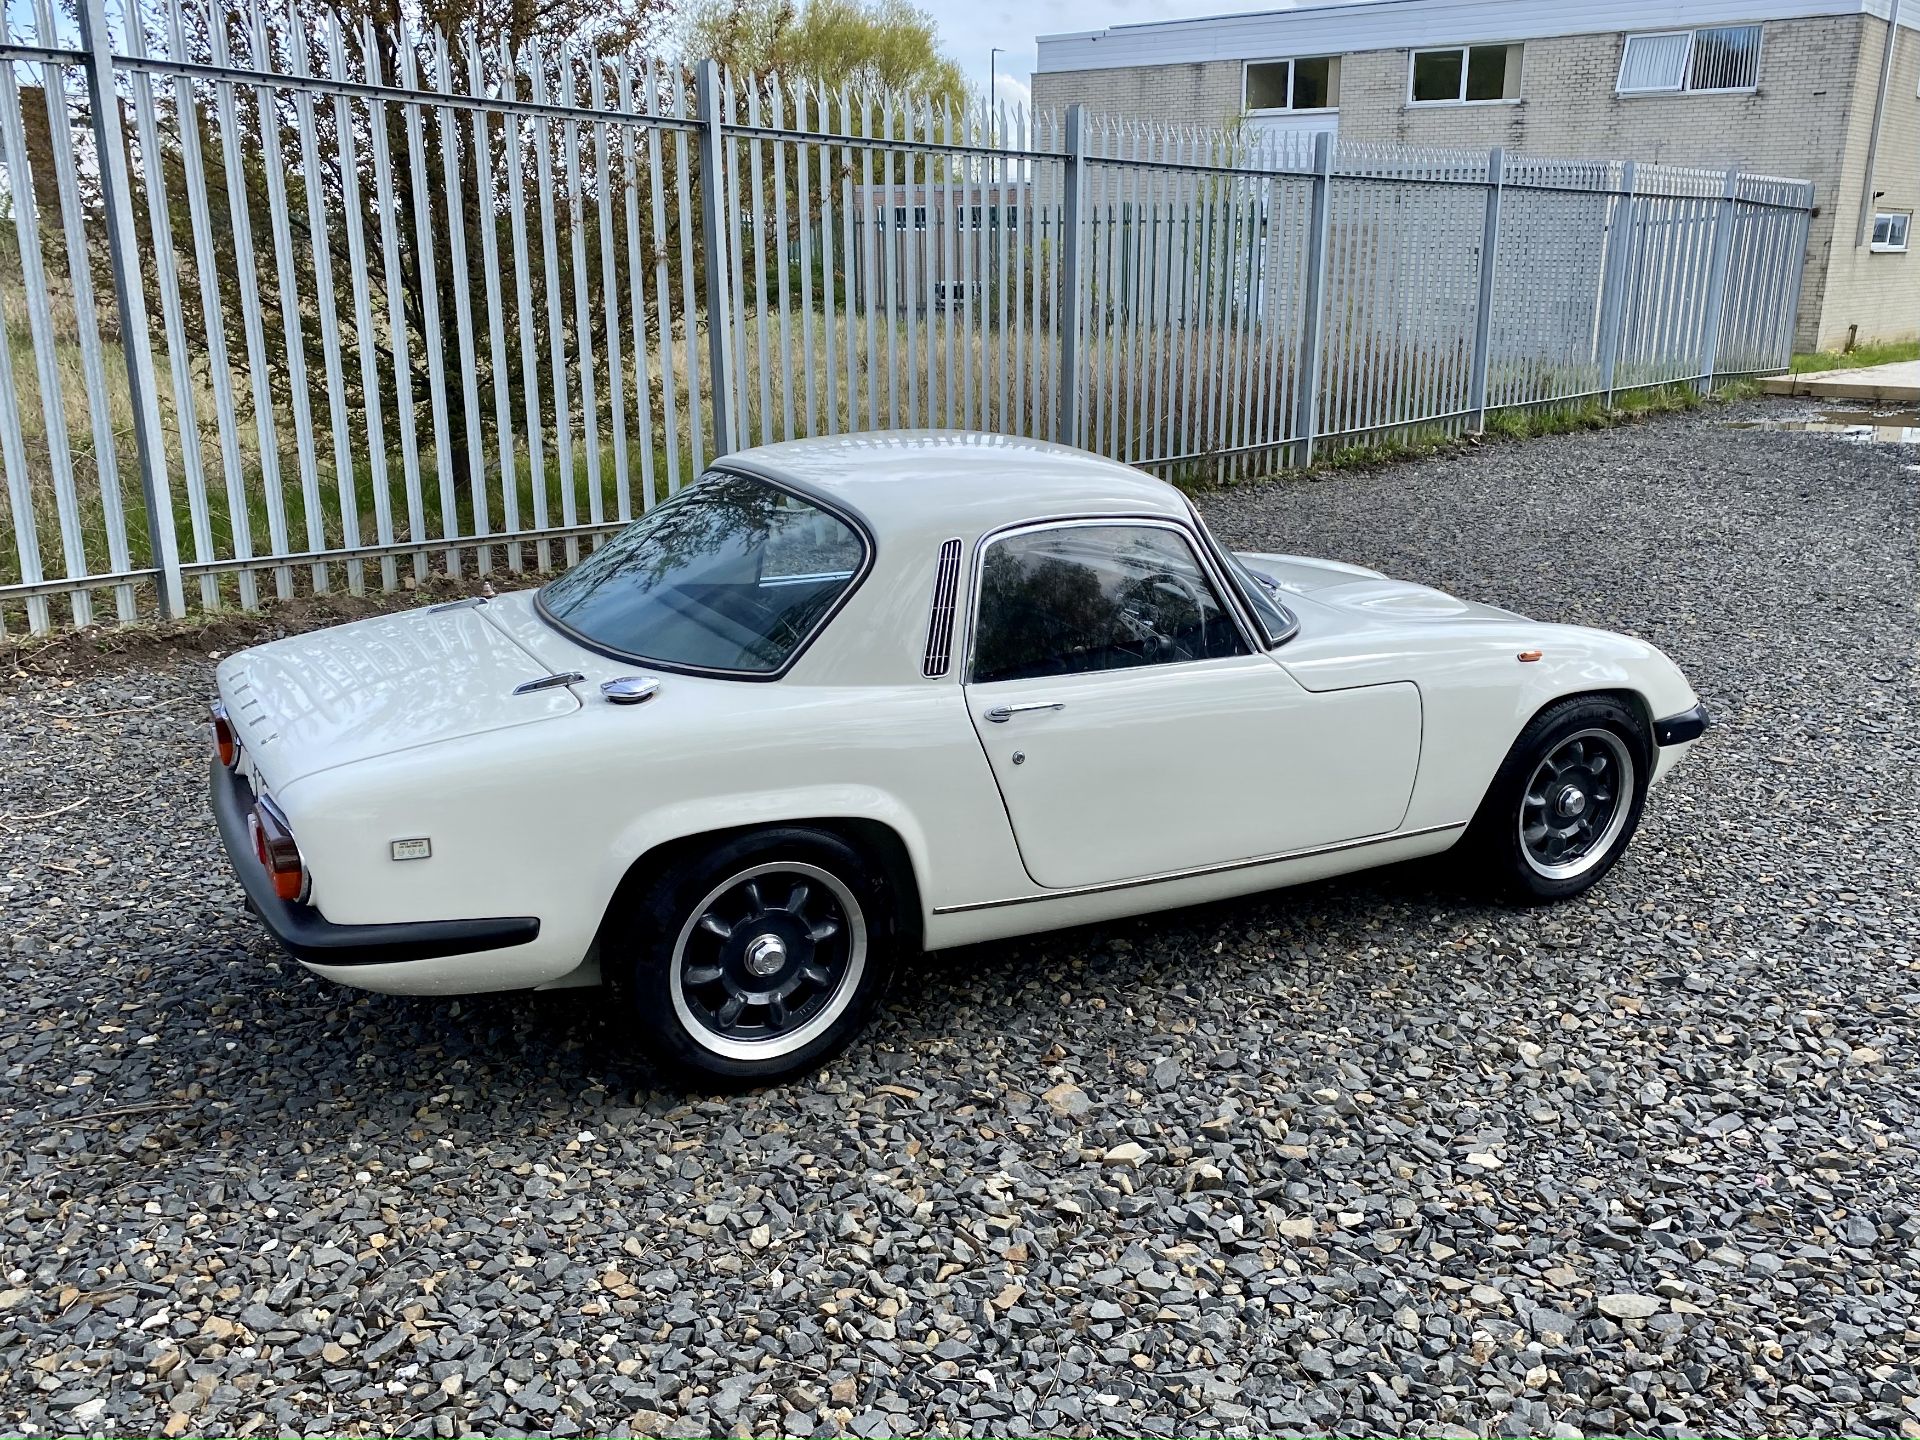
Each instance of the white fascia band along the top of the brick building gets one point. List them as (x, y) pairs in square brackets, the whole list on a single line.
[(1410, 24)]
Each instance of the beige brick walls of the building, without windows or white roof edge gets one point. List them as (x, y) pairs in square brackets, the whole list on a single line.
[(1808, 120)]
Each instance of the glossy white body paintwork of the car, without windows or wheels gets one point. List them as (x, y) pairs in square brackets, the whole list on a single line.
[(1366, 738)]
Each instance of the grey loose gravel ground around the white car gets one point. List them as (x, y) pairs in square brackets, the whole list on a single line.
[(1358, 1159)]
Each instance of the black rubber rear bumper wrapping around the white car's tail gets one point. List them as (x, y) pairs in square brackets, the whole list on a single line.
[(312, 938)]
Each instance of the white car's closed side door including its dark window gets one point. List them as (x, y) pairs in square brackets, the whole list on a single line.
[(1138, 732)]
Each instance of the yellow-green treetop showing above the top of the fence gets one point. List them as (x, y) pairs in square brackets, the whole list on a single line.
[(867, 45)]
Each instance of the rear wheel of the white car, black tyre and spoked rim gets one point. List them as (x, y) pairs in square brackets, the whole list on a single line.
[(798, 905)]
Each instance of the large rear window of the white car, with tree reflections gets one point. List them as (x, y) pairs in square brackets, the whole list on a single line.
[(732, 575)]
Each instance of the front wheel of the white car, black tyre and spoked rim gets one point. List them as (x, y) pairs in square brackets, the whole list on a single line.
[(1545, 832)]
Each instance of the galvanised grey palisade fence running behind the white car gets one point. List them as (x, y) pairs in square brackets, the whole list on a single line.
[(300, 304)]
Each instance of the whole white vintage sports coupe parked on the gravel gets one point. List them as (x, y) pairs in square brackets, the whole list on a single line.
[(848, 700)]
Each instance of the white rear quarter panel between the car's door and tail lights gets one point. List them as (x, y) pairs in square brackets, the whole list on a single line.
[(548, 819)]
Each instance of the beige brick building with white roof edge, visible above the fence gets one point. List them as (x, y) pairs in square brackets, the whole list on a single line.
[(1783, 87)]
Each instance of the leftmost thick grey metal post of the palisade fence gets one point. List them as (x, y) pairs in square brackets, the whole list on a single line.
[(124, 251)]
